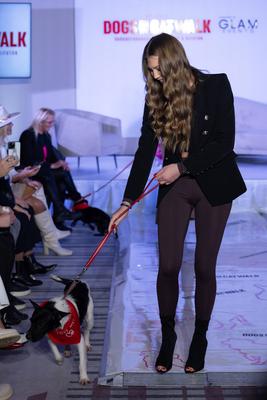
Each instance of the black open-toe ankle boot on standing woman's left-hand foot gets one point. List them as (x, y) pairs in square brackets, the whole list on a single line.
[(164, 360)]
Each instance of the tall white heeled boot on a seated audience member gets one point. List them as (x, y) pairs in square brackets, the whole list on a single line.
[(49, 236)]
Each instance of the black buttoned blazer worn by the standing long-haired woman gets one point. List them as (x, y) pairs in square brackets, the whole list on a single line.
[(211, 158)]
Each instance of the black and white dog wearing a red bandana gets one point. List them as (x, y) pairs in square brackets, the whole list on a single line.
[(61, 319)]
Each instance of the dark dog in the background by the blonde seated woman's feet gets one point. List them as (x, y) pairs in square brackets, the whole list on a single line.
[(93, 216)]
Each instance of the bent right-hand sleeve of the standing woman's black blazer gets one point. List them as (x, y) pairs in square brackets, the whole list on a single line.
[(223, 136)]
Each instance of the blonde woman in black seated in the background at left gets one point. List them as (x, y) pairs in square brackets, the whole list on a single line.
[(54, 174)]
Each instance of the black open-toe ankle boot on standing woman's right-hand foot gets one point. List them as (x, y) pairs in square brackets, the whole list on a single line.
[(198, 348)]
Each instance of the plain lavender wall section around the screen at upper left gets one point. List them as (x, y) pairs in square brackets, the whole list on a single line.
[(53, 64)]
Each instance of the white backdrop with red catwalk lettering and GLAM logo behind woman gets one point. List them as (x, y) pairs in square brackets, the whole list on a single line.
[(108, 66)]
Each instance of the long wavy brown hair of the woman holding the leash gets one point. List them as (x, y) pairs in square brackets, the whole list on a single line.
[(170, 102)]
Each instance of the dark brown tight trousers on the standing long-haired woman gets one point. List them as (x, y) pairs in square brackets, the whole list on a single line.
[(173, 219)]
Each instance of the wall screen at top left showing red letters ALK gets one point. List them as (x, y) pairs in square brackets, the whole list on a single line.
[(15, 40)]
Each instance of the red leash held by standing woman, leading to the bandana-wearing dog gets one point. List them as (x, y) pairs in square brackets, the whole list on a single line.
[(107, 235)]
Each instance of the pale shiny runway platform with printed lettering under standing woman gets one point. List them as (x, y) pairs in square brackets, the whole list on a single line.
[(237, 352)]
